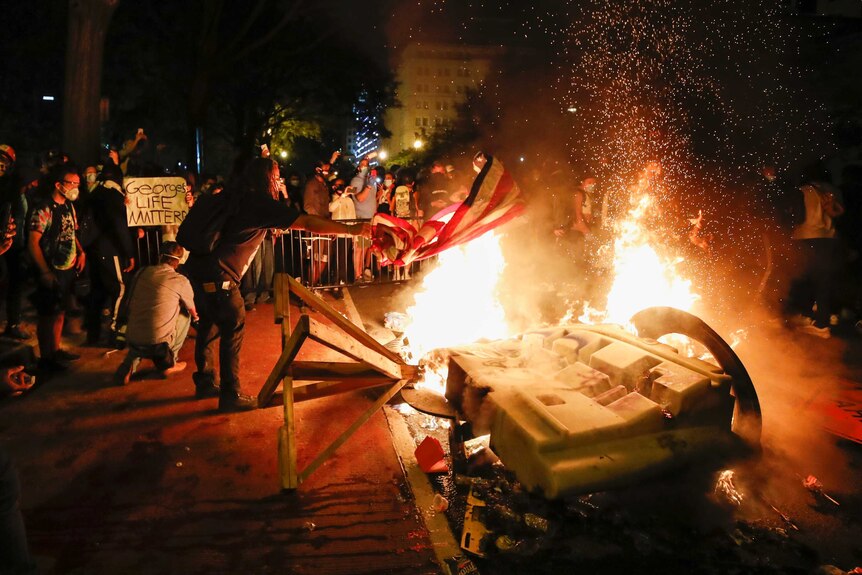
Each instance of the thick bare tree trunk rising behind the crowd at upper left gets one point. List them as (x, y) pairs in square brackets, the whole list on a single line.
[(88, 26)]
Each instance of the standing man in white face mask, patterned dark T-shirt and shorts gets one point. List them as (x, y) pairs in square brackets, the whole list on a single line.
[(57, 257)]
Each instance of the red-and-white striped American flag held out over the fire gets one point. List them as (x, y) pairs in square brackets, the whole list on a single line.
[(494, 199)]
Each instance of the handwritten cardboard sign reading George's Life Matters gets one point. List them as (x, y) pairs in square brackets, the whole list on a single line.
[(155, 201)]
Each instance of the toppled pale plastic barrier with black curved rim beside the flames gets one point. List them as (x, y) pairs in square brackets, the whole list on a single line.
[(581, 408)]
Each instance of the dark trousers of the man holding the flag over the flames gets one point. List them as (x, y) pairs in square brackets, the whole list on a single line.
[(222, 315)]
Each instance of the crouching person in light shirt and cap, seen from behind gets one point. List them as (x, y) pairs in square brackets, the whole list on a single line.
[(160, 309)]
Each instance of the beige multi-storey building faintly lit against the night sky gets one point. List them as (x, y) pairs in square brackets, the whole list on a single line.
[(432, 80)]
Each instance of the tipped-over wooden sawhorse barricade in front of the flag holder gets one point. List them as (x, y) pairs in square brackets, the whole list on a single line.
[(373, 365)]
